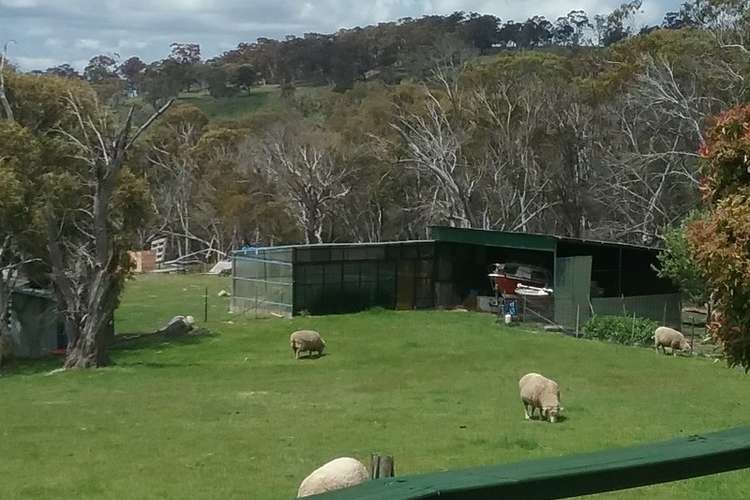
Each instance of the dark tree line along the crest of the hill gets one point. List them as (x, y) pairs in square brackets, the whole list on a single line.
[(389, 52)]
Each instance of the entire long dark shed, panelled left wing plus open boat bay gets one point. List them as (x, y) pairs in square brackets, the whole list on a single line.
[(451, 269)]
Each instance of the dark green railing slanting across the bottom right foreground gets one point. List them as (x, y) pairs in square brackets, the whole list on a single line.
[(563, 477)]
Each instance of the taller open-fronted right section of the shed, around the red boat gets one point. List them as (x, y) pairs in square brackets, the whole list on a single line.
[(589, 276)]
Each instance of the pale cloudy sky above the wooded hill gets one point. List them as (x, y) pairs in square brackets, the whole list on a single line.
[(49, 32)]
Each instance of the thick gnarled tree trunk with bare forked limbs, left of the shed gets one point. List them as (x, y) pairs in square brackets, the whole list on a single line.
[(86, 265)]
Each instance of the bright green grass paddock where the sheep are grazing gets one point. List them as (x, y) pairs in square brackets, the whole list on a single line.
[(233, 415)]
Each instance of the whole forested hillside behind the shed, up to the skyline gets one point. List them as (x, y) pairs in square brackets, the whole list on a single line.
[(582, 126)]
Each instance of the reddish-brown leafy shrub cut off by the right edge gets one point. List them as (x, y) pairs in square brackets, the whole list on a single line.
[(720, 242)]
